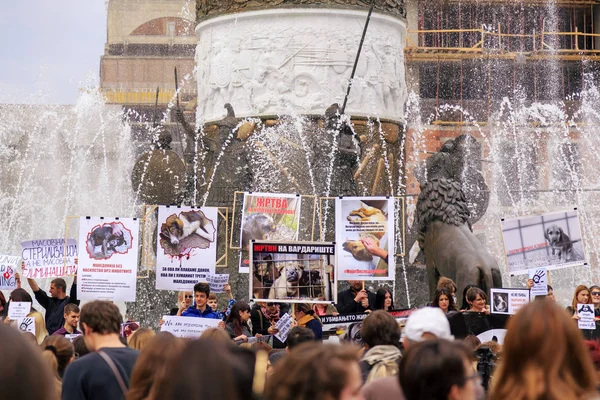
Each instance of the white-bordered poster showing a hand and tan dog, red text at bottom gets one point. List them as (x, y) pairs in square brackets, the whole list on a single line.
[(364, 234)]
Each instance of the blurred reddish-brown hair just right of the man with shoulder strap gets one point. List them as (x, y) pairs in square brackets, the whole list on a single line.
[(151, 367)]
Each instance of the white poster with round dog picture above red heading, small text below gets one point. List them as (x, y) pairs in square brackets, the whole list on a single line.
[(108, 258)]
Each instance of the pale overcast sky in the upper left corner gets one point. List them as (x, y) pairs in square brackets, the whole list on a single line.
[(49, 49)]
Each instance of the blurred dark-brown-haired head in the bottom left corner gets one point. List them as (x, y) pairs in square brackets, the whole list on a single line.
[(23, 373)]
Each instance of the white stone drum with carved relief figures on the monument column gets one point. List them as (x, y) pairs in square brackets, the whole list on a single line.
[(301, 66)]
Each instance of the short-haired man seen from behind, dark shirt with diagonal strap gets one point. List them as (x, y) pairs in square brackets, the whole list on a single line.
[(104, 374)]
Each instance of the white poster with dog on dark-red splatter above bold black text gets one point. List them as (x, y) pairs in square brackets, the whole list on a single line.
[(186, 248)]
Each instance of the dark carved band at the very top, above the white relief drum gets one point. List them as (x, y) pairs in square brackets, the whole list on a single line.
[(208, 8)]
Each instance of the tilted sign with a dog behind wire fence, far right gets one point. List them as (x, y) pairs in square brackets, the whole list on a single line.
[(551, 240)]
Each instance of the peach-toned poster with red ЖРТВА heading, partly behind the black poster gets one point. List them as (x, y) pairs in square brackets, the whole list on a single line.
[(267, 216)]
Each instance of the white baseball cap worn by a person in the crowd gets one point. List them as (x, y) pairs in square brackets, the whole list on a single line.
[(427, 320)]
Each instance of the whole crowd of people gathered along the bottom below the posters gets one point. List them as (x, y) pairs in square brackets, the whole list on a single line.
[(79, 354)]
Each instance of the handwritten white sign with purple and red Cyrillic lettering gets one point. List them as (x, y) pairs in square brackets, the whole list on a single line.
[(49, 258)]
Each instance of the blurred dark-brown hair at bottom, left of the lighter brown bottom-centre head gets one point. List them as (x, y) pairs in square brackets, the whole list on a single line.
[(208, 370)]
